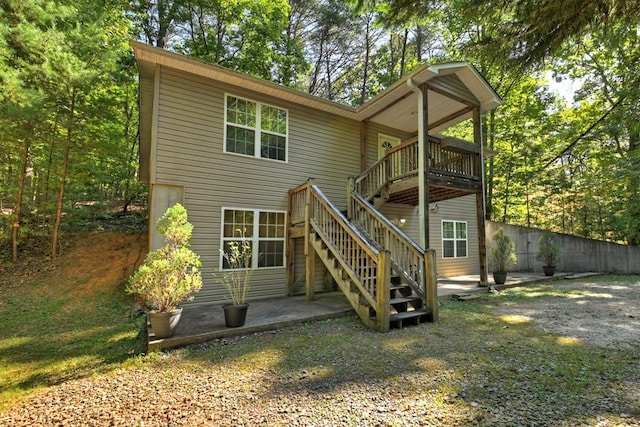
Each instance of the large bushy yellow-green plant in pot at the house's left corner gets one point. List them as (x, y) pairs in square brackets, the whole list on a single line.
[(169, 275)]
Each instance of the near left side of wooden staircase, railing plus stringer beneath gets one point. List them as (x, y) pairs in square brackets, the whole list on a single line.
[(361, 270)]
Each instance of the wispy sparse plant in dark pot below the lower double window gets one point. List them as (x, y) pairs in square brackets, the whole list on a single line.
[(236, 277)]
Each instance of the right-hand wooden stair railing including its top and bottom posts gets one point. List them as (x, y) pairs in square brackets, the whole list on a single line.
[(415, 265)]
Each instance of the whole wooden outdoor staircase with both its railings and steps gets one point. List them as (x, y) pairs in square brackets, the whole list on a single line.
[(360, 253)]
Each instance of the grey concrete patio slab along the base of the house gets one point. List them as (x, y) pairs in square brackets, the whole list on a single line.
[(201, 323)]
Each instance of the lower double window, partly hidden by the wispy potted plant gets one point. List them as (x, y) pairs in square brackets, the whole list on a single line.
[(264, 230)]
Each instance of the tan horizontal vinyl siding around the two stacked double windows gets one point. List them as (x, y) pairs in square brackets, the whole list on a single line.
[(190, 153)]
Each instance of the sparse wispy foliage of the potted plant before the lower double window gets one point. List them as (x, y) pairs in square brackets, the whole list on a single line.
[(236, 278)]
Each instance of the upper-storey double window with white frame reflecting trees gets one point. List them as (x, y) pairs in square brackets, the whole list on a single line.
[(255, 129)]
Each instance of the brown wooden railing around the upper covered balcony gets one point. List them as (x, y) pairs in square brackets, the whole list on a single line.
[(401, 162)]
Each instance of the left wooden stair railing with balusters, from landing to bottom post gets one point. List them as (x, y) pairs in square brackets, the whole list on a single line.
[(366, 266)]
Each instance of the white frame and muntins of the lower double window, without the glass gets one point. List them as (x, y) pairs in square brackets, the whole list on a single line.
[(255, 239)]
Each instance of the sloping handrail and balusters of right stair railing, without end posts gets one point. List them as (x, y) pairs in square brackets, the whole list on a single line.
[(407, 257)]
